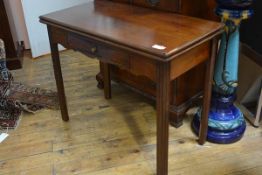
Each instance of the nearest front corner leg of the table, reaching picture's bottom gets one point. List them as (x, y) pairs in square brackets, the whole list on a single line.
[(163, 89)]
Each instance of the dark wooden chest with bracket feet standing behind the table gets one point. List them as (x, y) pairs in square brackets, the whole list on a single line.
[(182, 93)]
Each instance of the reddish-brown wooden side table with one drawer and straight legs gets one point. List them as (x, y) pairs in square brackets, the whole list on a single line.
[(149, 43)]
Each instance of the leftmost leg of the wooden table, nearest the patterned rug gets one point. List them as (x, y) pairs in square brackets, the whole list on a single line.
[(58, 77)]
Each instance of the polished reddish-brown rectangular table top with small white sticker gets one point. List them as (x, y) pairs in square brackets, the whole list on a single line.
[(158, 33)]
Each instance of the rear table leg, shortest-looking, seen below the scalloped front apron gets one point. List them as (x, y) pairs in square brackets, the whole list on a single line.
[(107, 80)]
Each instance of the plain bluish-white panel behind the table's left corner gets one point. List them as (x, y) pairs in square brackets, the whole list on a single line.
[(38, 36)]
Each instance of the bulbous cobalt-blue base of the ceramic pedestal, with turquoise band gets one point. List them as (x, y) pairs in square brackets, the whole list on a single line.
[(226, 123)]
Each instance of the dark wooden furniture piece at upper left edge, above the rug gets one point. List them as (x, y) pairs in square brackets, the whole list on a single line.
[(14, 56)]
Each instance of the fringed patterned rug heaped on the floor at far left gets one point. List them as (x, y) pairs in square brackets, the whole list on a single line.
[(16, 98)]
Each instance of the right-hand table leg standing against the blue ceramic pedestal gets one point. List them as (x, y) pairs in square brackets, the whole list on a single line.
[(207, 92)]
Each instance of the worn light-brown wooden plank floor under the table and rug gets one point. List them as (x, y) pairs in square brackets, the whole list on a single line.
[(110, 137)]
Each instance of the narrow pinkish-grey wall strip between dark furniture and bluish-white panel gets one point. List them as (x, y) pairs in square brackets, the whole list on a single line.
[(17, 22)]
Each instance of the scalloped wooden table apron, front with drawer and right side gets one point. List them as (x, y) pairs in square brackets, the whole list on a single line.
[(139, 65)]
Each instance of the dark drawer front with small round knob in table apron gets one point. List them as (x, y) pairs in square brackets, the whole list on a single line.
[(94, 49)]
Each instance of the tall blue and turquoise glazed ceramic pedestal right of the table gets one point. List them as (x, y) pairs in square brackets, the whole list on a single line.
[(226, 123)]
